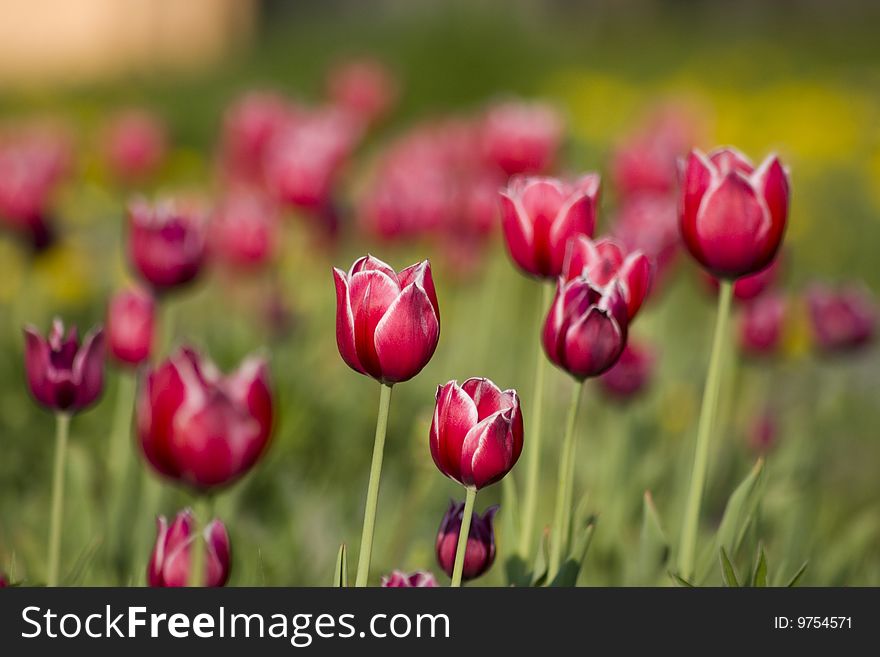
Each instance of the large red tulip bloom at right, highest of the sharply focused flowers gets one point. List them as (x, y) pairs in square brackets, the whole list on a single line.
[(732, 215)]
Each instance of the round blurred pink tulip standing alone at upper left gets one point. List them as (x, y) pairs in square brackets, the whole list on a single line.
[(135, 144)]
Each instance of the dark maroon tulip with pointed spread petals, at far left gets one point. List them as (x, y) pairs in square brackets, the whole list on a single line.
[(64, 375)]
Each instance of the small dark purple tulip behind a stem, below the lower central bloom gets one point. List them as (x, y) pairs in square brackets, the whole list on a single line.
[(480, 550)]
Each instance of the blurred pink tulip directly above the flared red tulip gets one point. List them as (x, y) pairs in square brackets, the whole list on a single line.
[(522, 137)]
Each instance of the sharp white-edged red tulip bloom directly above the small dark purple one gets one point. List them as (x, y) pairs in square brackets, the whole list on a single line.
[(477, 432)]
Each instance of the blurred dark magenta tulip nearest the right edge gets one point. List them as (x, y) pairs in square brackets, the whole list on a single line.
[(843, 319)]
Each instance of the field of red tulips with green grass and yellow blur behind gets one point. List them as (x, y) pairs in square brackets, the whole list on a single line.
[(361, 307)]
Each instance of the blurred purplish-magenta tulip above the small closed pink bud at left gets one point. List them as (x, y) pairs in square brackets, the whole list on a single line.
[(166, 243)]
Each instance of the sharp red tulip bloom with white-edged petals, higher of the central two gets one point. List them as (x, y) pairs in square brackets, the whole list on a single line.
[(387, 323)]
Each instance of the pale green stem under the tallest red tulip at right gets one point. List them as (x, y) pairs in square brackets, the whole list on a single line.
[(708, 408)]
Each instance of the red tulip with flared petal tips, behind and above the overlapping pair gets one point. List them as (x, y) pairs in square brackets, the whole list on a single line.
[(540, 215)]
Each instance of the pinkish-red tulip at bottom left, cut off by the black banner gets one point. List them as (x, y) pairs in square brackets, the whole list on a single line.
[(170, 562)]
